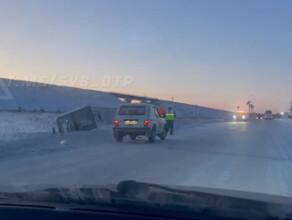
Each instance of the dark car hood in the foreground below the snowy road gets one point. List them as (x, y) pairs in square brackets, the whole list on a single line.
[(152, 196)]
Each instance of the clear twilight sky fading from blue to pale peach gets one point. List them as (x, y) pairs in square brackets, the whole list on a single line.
[(210, 53)]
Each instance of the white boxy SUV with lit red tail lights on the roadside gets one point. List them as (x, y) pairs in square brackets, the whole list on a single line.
[(139, 119)]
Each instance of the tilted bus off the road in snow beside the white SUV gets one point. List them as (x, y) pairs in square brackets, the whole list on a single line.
[(85, 119)]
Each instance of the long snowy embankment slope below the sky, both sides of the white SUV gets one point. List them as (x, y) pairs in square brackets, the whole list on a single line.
[(30, 96)]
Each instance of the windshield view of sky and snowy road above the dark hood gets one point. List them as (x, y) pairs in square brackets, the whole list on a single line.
[(208, 83)]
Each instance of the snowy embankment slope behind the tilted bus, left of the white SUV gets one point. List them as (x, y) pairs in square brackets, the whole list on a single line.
[(30, 96)]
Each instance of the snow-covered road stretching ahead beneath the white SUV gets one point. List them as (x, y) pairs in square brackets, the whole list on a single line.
[(255, 156)]
